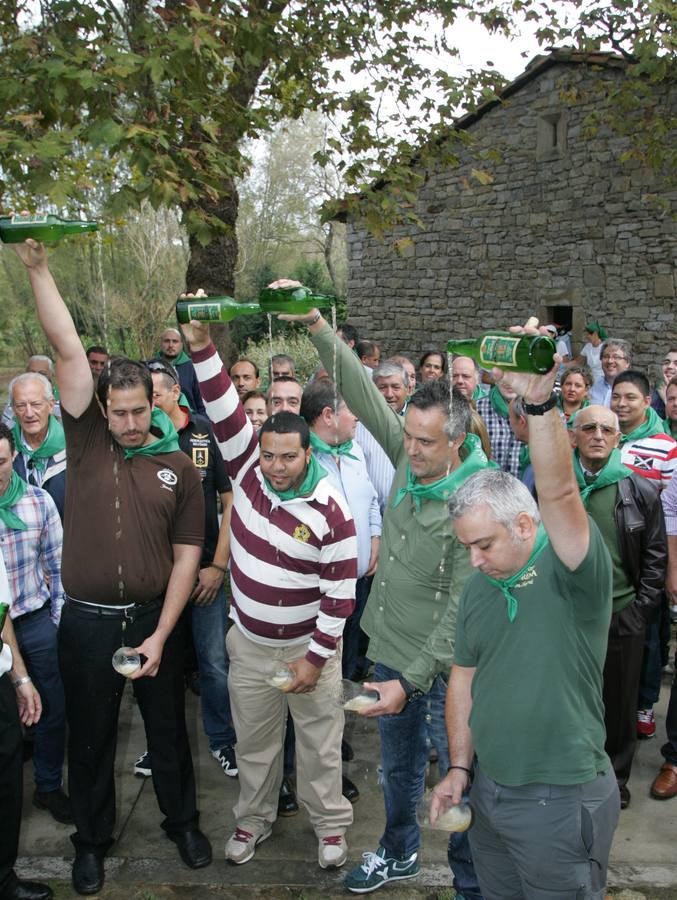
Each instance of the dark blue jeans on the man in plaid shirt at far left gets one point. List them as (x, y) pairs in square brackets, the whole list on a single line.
[(36, 636)]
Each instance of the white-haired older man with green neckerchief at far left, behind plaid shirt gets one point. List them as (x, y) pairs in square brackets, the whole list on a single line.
[(38, 436)]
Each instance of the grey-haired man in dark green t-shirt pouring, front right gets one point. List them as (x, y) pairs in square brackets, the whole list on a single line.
[(525, 693)]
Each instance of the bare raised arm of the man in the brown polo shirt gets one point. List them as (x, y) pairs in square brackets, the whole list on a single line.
[(73, 374)]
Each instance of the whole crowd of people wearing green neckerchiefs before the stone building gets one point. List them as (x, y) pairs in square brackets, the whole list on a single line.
[(494, 553)]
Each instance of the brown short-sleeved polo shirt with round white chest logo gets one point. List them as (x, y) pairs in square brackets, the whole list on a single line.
[(122, 515)]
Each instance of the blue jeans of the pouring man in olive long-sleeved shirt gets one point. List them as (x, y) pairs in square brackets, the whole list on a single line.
[(405, 747)]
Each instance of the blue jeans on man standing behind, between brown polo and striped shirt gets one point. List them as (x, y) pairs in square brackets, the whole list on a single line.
[(209, 636)]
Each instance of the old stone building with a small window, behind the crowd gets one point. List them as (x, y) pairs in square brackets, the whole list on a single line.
[(565, 228)]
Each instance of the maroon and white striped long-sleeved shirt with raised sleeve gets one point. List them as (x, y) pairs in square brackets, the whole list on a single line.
[(293, 563)]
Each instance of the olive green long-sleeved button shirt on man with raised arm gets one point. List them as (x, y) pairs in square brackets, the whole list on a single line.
[(410, 616)]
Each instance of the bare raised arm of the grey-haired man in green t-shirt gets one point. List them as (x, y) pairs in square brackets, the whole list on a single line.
[(559, 499)]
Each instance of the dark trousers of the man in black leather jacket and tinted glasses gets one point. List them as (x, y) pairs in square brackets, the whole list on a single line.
[(622, 668)]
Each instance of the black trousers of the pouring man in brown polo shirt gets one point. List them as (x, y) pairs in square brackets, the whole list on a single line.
[(93, 692)]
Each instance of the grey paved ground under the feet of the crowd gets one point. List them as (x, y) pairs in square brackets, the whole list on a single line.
[(144, 865)]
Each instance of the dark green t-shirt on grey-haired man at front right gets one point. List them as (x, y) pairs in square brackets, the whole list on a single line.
[(537, 712)]
